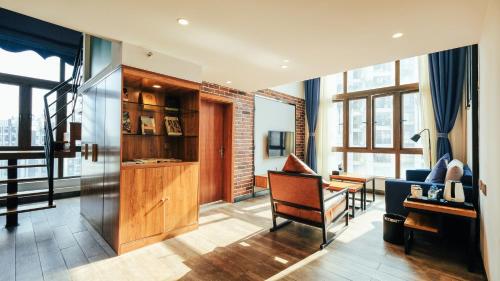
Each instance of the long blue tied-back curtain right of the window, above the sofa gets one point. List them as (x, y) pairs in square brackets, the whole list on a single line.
[(447, 70)]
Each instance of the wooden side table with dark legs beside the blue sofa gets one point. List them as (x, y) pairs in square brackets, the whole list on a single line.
[(428, 217)]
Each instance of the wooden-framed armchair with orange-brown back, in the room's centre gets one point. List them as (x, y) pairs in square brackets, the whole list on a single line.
[(299, 197)]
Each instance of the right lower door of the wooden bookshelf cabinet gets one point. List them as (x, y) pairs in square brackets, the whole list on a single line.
[(181, 194)]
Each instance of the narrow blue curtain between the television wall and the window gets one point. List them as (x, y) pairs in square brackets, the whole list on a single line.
[(312, 106)]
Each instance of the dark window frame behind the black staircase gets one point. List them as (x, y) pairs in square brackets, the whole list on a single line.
[(26, 86)]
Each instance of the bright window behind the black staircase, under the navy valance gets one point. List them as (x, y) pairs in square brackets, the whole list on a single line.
[(25, 78)]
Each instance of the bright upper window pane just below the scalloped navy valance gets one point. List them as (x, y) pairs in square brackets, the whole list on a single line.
[(29, 64)]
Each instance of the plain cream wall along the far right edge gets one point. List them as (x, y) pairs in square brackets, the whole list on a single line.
[(489, 135)]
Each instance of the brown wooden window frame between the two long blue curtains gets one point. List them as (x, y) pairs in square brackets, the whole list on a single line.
[(396, 91)]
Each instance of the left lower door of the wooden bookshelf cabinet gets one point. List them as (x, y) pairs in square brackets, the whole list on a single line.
[(141, 204)]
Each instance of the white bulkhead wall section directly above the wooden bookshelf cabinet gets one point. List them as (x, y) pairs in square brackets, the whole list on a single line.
[(136, 56)]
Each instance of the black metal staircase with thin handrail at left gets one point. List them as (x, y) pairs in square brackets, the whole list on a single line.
[(59, 110)]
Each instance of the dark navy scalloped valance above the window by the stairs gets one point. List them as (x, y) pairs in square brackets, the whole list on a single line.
[(20, 33)]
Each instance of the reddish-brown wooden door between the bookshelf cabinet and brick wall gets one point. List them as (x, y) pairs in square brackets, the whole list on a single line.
[(211, 151)]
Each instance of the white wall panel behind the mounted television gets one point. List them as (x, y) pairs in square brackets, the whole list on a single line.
[(270, 115)]
